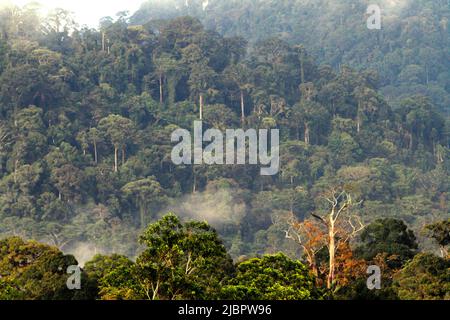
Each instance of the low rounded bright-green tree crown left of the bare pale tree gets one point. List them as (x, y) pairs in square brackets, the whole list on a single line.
[(272, 277)]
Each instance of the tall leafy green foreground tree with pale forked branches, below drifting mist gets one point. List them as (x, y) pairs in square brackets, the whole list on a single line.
[(182, 261)]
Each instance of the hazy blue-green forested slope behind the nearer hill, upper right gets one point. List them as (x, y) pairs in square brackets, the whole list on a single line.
[(410, 52)]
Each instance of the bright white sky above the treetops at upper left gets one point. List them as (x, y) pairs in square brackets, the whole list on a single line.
[(86, 11)]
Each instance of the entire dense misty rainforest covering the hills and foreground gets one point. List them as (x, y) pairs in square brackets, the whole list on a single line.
[(86, 117)]
